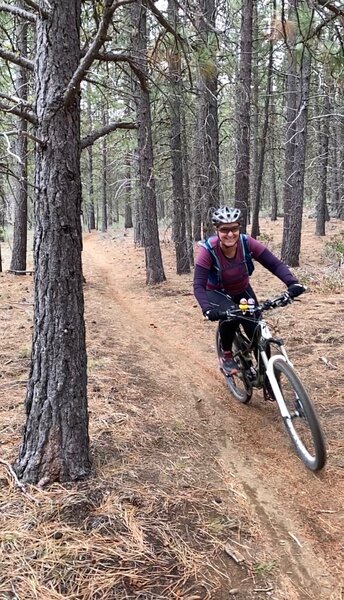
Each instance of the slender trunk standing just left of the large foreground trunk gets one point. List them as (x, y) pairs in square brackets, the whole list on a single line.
[(19, 249)]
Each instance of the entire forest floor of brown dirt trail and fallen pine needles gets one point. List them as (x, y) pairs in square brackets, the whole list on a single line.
[(192, 495)]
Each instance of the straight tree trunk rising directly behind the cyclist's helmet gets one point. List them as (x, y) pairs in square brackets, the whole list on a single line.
[(242, 169)]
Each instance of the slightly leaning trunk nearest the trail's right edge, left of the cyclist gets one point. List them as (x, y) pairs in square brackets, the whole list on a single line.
[(154, 267)]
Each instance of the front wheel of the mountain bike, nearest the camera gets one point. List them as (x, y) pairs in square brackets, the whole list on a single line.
[(307, 419)]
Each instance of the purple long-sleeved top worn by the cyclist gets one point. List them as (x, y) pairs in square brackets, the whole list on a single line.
[(234, 275)]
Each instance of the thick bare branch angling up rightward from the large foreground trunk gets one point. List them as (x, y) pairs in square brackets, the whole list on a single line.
[(100, 38)]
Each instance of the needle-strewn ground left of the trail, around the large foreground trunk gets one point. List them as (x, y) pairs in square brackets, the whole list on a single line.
[(145, 525)]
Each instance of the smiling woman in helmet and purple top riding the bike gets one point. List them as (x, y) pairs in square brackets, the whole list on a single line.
[(221, 276)]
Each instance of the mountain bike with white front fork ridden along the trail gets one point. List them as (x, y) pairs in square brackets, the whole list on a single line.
[(263, 363)]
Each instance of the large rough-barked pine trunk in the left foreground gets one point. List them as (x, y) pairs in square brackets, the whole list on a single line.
[(56, 444)]
